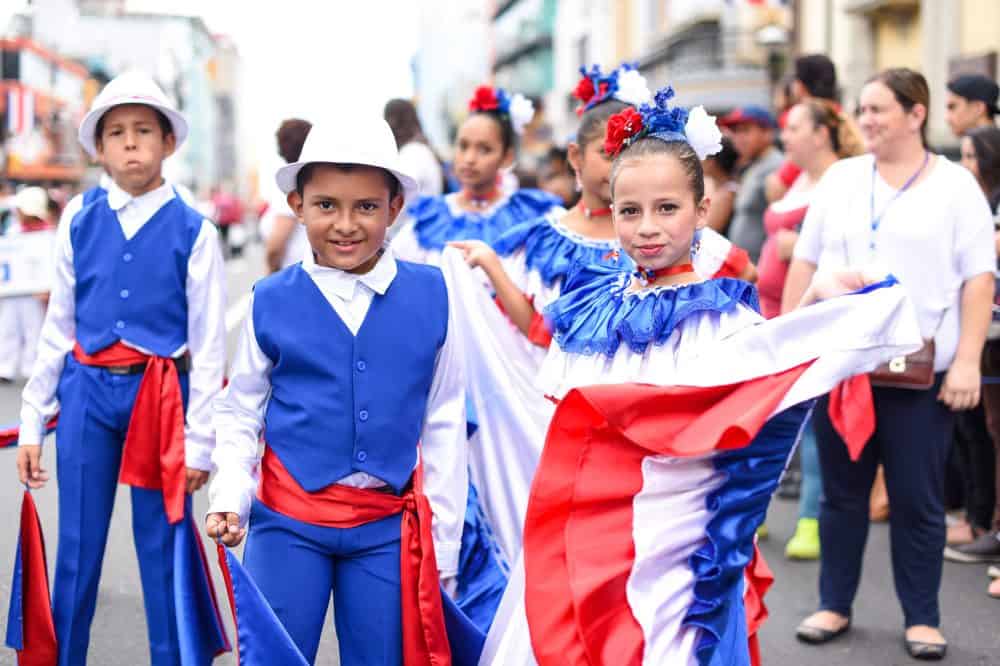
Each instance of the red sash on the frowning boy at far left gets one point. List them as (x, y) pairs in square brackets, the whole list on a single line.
[(153, 457)]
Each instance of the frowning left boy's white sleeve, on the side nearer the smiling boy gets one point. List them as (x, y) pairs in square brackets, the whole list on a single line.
[(206, 296)]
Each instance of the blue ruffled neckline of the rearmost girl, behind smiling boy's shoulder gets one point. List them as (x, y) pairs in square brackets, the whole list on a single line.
[(437, 221)]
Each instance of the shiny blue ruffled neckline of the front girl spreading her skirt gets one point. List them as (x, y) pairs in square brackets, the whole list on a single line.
[(596, 315)]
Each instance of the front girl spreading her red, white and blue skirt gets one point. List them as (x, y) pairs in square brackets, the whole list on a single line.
[(677, 408)]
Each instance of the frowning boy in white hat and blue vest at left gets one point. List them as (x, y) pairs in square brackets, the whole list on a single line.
[(131, 353)]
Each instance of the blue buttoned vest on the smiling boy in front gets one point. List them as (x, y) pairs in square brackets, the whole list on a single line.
[(342, 403)]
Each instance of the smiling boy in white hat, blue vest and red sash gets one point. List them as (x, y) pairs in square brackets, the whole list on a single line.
[(346, 363)]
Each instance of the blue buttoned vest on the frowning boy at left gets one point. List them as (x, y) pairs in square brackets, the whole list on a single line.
[(134, 290)]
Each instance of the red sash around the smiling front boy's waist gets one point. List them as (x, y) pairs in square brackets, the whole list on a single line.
[(425, 642)]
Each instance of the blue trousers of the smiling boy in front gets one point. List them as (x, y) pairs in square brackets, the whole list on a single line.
[(297, 566)]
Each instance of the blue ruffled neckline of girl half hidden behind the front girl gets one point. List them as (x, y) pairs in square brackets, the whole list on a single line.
[(554, 250)]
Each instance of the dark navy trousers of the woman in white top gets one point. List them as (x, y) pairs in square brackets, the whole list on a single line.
[(912, 438)]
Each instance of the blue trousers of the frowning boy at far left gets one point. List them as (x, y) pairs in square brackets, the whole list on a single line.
[(95, 407)]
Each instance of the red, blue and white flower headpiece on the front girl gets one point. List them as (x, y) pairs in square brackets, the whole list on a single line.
[(666, 122)]
